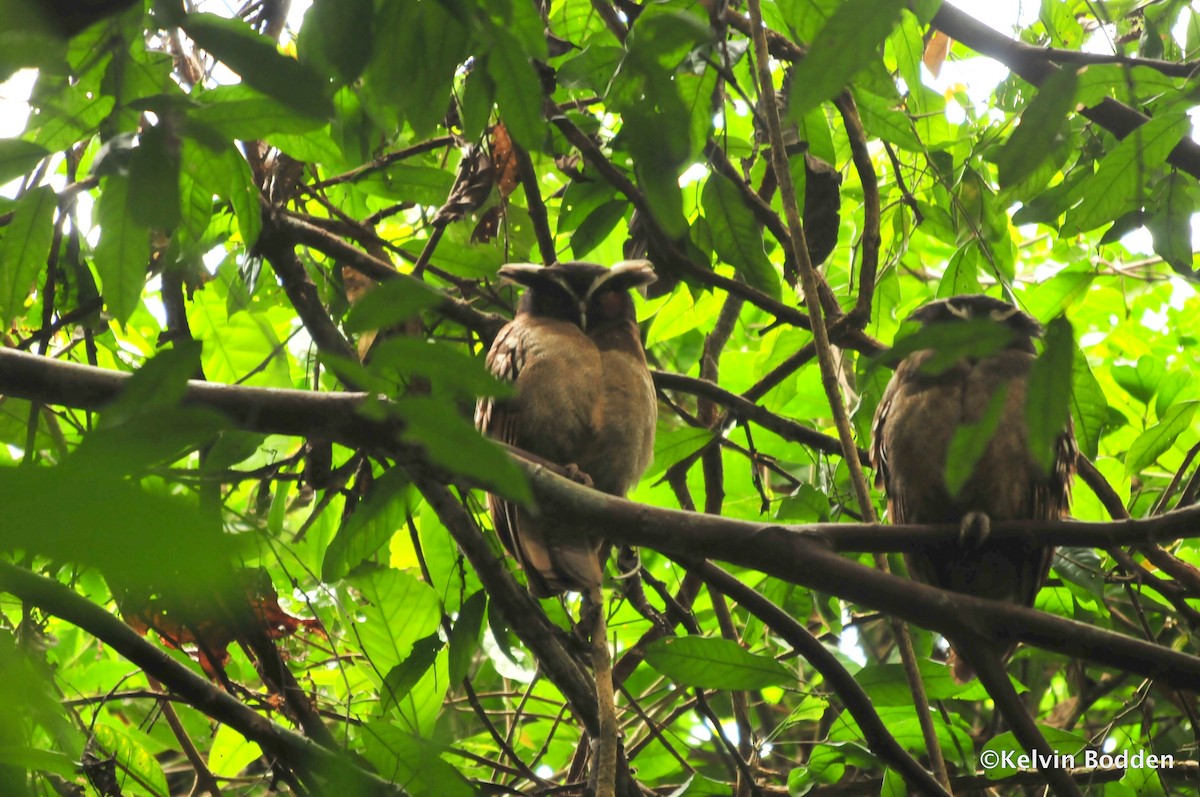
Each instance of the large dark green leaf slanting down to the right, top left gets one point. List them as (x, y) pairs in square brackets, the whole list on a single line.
[(255, 58)]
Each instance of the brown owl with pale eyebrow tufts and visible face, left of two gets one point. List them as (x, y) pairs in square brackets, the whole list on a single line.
[(585, 400)]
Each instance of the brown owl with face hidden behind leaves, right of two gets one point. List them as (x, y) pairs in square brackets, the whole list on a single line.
[(914, 428)]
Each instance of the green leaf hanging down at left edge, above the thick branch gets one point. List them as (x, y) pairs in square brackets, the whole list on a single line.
[(25, 249)]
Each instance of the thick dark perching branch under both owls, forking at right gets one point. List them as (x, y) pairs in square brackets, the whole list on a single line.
[(803, 555)]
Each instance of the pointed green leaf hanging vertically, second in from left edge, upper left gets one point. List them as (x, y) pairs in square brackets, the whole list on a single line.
[(124, 251)]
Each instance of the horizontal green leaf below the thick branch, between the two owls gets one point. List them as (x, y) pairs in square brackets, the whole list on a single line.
[(715, 664)]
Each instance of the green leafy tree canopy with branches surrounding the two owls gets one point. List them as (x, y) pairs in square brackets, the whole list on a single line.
[(248, 279)]
